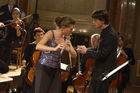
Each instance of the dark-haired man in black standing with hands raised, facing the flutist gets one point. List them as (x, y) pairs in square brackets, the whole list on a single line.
[(106, 54)]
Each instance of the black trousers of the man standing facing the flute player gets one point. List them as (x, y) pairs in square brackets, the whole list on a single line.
[(99, 86)]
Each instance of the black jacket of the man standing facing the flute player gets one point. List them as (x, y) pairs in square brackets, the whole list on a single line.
[(106, 54)]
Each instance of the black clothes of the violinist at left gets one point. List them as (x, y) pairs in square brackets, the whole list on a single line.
[(11, 41)]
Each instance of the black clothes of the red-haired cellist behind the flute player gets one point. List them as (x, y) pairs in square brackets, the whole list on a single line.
[(22, 84)]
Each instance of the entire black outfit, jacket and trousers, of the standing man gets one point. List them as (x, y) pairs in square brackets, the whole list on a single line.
[(105, 60)]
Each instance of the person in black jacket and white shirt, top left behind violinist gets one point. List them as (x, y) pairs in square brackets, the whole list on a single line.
[(6, 11)]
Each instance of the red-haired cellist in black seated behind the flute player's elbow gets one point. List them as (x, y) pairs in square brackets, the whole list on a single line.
[(26, 60)]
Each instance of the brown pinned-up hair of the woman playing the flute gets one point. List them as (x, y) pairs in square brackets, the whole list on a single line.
[(64, 21)]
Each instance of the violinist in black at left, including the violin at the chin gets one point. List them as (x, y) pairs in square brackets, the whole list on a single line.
[(14, 32)]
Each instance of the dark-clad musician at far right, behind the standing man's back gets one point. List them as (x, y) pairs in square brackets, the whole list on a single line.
[(126, 70)]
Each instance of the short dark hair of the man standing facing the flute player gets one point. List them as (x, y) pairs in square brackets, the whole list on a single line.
[(101, 15)]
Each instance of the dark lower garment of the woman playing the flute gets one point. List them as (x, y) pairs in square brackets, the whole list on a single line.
[(47, 80)]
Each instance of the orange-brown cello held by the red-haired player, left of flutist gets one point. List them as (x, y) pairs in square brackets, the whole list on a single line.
[(30, 75)]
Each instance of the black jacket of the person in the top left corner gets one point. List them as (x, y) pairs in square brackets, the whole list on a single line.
[(6, 13)]
